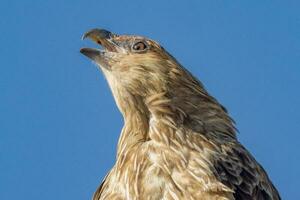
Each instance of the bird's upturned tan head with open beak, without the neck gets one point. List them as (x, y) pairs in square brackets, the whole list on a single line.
[(135, 67)]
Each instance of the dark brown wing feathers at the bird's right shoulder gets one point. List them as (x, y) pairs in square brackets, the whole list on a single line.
[(236, 168)]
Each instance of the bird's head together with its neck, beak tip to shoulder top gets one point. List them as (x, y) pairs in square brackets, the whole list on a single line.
[(146, 79)]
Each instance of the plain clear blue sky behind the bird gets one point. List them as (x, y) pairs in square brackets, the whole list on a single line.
[(59, 124)]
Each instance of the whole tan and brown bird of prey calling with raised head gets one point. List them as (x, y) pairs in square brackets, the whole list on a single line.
[(178, 142)]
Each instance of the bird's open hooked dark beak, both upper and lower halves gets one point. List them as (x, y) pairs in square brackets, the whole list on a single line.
[(101, 37)]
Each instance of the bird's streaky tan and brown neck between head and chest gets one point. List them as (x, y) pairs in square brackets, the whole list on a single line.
[(199, 113)]
